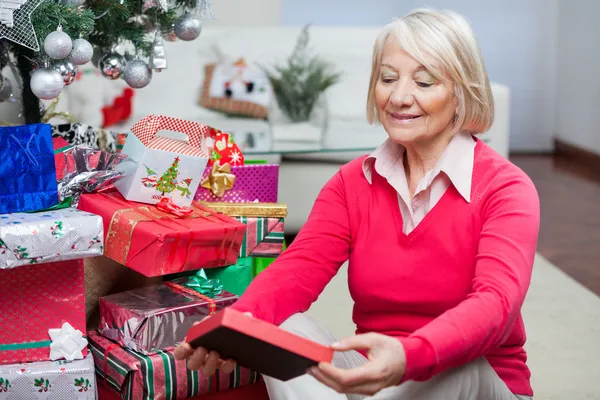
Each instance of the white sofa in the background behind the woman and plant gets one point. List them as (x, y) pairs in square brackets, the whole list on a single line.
[(175, 92)]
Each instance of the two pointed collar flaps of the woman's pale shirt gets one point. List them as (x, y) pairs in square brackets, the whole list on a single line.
[(456, 162)]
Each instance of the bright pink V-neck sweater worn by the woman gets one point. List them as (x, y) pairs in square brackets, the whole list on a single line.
[(451, 290)]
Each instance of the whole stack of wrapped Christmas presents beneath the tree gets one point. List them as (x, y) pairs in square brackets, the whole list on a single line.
[(107, 258)]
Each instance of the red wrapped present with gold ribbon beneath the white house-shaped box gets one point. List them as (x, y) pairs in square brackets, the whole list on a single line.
[(164, 239)]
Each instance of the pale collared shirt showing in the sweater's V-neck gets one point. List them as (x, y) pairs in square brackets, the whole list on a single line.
[(456, 163)]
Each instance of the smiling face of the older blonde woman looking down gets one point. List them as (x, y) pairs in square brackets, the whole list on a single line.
[(413, 105)]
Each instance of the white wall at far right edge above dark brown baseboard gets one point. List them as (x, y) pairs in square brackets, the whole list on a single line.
[(578, 100)]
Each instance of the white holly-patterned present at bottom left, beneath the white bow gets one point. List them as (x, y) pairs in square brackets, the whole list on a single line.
[(49, 380)]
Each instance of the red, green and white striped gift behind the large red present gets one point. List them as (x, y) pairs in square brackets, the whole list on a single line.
[(264, 237)]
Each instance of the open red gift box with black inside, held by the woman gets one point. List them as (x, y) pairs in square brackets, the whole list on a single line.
[(258, 345)]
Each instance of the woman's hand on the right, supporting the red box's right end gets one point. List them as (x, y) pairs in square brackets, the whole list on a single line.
[(385, 368)]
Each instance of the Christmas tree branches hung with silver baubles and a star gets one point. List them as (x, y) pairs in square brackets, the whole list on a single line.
[(43, 42)]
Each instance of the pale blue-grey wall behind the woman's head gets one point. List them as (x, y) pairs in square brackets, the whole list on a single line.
[(518, 39)]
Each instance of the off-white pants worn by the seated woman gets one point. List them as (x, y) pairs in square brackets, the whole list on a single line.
[(474, 381)]
